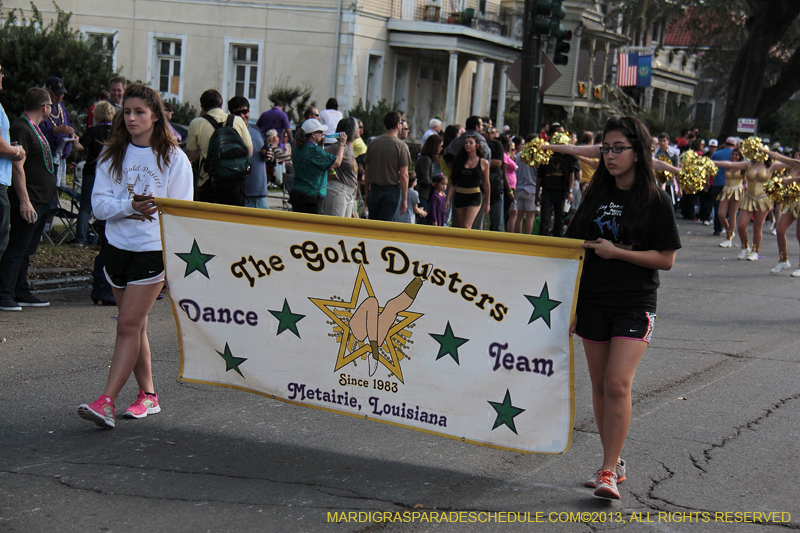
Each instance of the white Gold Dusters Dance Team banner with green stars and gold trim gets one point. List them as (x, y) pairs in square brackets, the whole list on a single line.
[(457, 333)]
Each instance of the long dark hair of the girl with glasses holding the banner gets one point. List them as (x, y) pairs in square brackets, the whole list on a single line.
[(643, 192)]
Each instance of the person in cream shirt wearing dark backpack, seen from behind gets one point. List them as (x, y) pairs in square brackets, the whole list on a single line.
[(223, 146)]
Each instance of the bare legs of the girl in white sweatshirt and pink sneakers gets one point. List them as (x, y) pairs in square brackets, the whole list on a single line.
[(134, 304)]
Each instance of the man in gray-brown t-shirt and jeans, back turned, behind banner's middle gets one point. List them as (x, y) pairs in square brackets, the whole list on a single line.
[(386, 171)]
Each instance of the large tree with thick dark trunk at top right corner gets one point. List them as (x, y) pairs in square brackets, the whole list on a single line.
[(751, 48)]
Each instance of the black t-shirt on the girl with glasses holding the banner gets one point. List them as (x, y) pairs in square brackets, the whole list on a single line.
[(619, 284)]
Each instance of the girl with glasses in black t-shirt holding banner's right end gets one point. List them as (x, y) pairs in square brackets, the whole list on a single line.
[(629, 230)]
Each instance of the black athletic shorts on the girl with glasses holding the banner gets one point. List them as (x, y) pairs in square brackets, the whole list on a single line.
[(601, 324)]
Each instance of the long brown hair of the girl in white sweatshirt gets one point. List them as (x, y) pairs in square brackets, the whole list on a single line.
[(162, 141)]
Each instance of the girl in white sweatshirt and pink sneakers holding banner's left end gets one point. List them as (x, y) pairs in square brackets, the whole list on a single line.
[(142, 161)]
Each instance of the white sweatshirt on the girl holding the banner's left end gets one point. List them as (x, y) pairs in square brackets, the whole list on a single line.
[(112, 196)]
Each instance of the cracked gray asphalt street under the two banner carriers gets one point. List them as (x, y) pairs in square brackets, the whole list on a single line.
[(715, 430)]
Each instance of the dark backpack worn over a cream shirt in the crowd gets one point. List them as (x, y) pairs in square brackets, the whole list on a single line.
[(227, 162)]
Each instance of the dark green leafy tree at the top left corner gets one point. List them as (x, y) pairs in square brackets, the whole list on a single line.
[(32, 51)]
